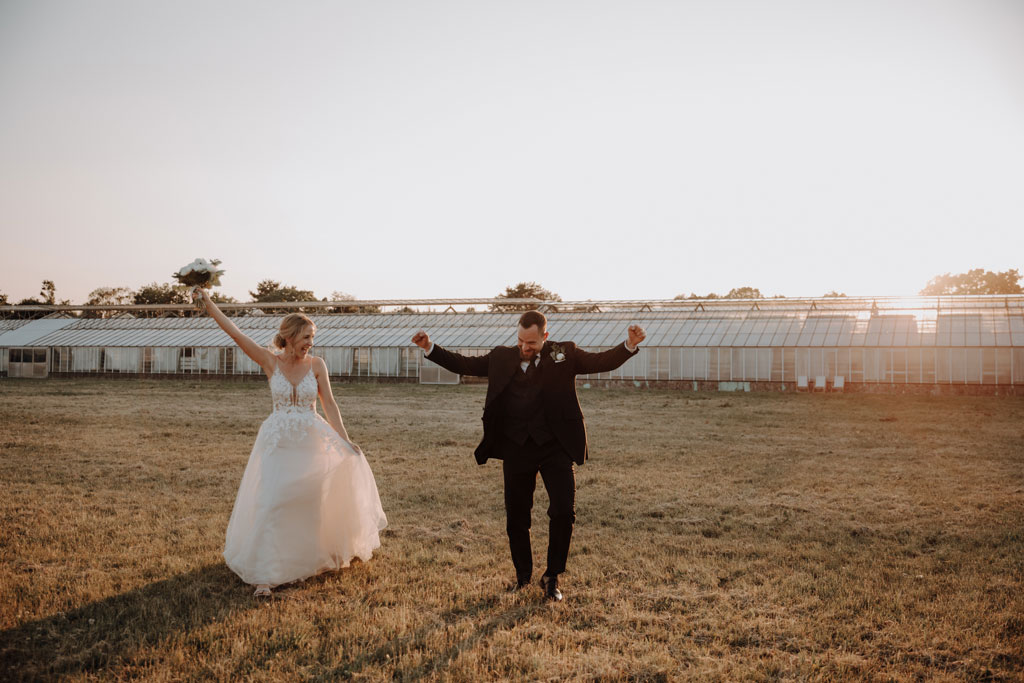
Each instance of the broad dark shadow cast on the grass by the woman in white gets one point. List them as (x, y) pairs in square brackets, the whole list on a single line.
[(109, 632)]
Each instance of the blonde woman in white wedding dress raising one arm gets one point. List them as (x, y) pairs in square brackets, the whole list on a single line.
[(308, 502)]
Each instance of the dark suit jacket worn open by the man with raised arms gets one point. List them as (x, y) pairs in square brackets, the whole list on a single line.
[(561, 404)]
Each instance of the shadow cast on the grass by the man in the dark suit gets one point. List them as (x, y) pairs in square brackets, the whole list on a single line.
[(393, 652)]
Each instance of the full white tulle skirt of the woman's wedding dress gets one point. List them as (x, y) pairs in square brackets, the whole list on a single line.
[(308, 504)]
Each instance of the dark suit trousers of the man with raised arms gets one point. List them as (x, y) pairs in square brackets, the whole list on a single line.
[(521, 467)]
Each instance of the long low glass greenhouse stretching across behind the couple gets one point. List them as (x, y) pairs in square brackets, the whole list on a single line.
[(825, 345)]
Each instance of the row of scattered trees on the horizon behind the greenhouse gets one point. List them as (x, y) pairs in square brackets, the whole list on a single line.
[(977, 281)]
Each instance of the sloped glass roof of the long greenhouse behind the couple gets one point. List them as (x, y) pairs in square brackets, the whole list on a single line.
[(967, 322)]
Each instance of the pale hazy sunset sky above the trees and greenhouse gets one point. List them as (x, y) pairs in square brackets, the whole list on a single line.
[(444, 149)]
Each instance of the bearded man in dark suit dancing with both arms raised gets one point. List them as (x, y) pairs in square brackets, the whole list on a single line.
[(533, 423)]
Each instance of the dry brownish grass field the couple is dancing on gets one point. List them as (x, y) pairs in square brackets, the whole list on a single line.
[(719, 537)]
